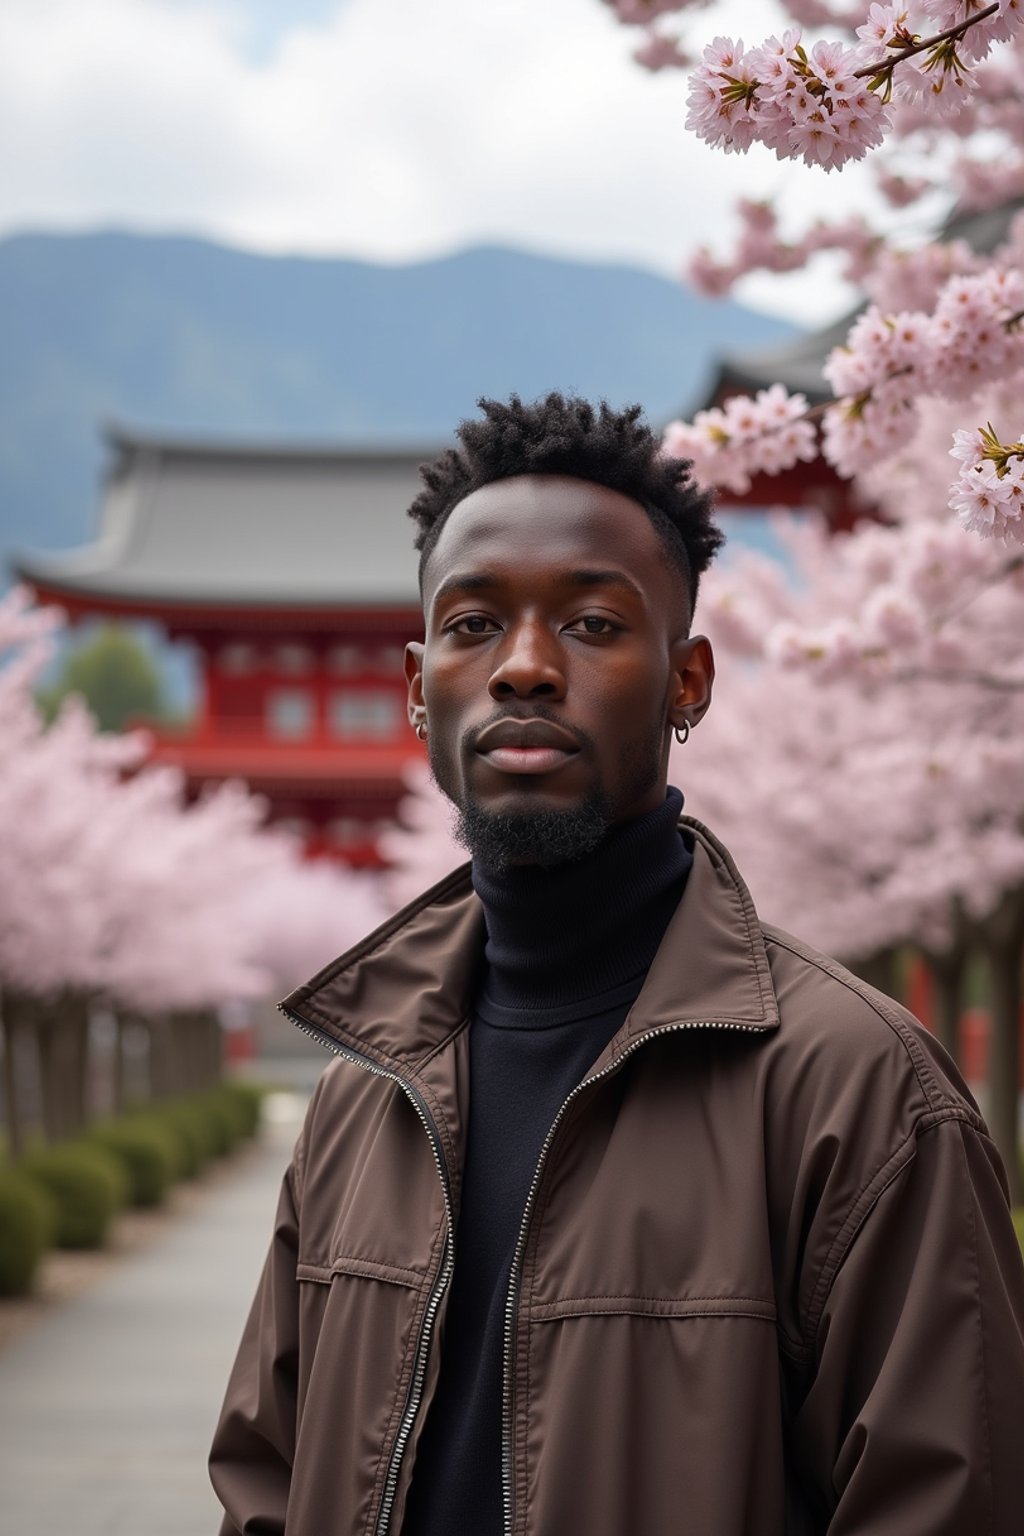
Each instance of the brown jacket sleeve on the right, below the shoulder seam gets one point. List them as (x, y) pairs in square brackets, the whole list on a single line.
[(914, 1420)]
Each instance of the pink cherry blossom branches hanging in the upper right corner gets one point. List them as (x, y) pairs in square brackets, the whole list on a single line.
[(933, 88)]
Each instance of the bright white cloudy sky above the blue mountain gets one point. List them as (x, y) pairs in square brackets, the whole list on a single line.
[(389, 130)]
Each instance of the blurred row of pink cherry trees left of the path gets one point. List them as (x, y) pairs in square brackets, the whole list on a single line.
[(114, 890)]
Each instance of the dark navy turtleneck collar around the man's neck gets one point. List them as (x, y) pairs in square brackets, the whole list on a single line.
[(584, 929)]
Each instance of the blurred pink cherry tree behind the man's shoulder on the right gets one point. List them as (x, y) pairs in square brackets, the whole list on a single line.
[(865, 756)]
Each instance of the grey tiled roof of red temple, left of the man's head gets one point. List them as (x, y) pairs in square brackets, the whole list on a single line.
[(208, 523)]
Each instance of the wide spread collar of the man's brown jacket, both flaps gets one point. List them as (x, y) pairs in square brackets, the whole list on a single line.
[(400, 995)]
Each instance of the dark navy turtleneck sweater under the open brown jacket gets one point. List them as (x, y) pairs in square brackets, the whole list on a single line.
[(567, 955)]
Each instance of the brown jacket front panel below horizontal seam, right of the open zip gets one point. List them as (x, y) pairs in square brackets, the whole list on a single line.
[(638, 1391)]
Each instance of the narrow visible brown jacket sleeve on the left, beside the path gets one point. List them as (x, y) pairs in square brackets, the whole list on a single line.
[(254, 1445)]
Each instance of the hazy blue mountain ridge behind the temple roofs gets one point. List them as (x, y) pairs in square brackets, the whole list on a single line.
[(187, 337)]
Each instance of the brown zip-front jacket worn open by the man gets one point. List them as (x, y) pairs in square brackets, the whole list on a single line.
[(767, 1280)]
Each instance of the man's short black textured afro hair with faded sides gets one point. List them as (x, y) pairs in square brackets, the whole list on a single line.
[(564, 435)]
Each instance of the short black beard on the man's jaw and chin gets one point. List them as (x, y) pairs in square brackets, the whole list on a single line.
[(544, 838)]
